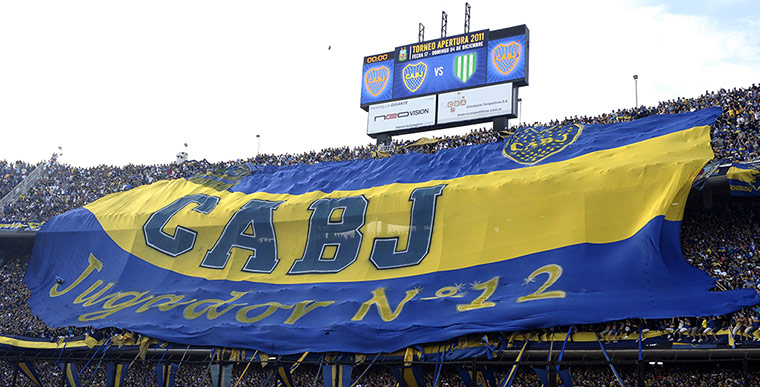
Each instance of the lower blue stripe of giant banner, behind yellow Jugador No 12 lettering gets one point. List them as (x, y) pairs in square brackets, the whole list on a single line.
[(670, 284)]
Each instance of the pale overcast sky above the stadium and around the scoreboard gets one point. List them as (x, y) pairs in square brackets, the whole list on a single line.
[(132, 81)]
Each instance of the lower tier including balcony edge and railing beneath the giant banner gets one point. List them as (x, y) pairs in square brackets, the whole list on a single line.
[(580, 359)]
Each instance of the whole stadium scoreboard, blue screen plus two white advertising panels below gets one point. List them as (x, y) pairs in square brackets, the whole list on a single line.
[(456, 80)]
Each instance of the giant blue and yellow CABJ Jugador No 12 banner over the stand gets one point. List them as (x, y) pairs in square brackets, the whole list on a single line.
[(553, 226)]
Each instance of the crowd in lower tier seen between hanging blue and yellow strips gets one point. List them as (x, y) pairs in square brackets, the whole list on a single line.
[(142, 373)]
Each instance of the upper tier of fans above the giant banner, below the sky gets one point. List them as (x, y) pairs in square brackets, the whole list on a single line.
[(735, 137)]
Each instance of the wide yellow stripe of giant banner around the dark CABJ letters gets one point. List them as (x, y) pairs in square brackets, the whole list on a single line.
[(600, 197)]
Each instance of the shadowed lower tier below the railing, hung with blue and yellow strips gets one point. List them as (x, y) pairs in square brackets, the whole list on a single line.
[(107, 371)]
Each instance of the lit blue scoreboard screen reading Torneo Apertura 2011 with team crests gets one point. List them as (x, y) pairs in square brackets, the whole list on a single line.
[(453, 63)]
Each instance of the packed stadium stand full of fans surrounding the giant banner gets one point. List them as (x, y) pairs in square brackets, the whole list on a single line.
[(720, 235)]
